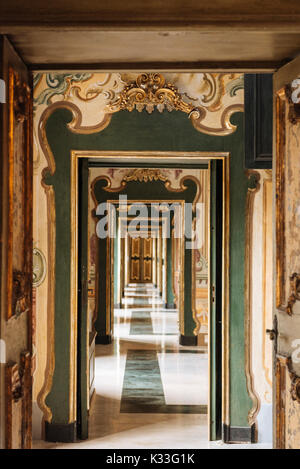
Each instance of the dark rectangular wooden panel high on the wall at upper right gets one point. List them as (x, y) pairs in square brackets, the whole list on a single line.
[(258, 120)]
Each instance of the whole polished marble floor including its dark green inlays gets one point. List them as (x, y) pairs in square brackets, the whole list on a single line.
[(150, 392)]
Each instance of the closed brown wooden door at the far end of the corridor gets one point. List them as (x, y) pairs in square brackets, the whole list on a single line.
[(141, 260)]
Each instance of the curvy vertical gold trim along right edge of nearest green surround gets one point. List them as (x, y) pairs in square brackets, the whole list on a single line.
[(252, 414)]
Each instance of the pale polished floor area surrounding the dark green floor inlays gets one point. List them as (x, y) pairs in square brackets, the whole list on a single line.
[(184, 377)]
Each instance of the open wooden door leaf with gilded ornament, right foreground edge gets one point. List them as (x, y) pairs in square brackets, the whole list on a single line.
[(286, 311)]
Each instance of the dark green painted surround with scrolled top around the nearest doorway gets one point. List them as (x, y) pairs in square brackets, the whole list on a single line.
[(141, 131)]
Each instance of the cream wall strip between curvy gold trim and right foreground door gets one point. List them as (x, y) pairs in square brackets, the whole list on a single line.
[(261, 303)]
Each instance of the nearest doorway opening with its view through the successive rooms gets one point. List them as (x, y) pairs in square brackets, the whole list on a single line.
[(145, 368)]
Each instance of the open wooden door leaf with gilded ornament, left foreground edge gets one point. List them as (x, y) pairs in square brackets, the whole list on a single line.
[(16, 247)]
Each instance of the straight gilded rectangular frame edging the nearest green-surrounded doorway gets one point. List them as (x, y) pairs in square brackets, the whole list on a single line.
[(153, 156)]
